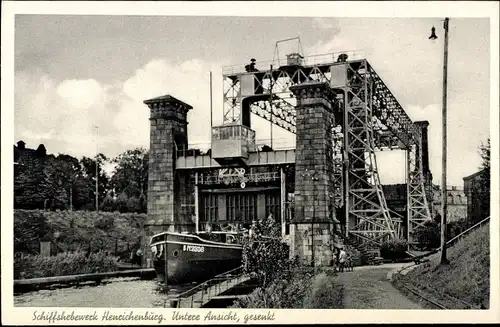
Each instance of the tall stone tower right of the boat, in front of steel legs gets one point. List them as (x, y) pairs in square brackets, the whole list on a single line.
[(314, 182)]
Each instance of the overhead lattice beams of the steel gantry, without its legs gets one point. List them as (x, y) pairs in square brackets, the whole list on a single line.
[(390, 120)]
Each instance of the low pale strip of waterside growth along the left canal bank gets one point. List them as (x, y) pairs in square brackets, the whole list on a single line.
[(35, 266)]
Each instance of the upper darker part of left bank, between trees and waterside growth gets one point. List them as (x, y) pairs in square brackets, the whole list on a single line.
[(74, 231)]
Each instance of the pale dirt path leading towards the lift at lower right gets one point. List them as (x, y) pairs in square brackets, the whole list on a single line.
[(369, 288)]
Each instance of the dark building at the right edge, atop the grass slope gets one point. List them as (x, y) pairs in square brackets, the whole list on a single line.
[(477, 190)]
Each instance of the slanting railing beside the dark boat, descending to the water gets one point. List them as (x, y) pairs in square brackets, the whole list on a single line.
[(206, 289)]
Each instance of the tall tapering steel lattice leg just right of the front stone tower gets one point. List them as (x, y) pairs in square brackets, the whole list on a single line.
[(367, 203)]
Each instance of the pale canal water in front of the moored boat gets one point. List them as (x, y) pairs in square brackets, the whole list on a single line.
[(114, 293)]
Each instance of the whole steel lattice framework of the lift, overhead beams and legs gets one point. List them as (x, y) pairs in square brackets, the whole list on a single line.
[(368, 118)]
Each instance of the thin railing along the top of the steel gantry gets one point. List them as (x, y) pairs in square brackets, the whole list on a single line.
[(319, 59)]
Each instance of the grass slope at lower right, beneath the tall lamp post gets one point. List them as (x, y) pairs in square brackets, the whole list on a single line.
[(467, 277)]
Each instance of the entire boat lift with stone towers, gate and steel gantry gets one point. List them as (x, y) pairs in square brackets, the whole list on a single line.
[(342, 114)]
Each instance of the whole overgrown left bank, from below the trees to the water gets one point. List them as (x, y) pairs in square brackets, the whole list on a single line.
[(109, 236)]
